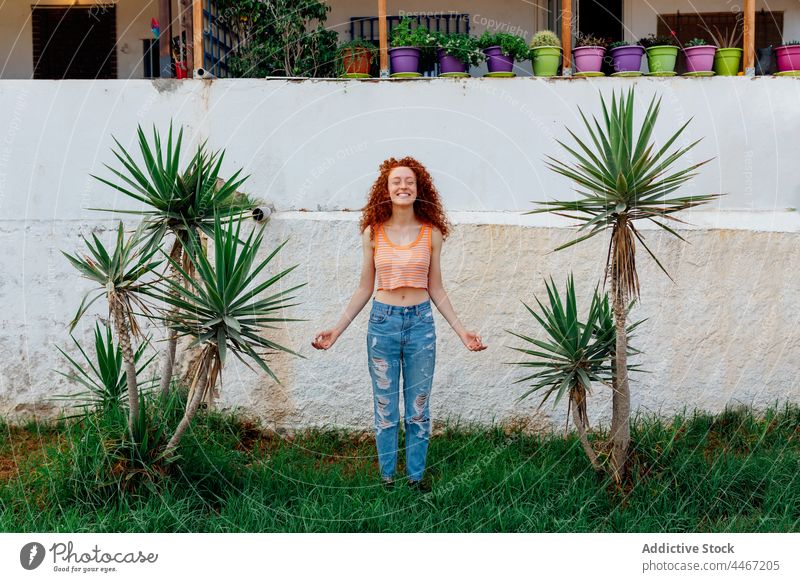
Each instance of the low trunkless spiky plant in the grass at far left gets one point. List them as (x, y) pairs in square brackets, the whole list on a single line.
[(103, 376)]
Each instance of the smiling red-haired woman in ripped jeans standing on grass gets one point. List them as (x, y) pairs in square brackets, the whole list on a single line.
[(403, 226)]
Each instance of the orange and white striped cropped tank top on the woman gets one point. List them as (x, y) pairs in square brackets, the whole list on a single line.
[(402, 265)]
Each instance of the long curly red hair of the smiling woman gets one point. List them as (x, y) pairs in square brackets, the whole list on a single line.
[(427, 207)]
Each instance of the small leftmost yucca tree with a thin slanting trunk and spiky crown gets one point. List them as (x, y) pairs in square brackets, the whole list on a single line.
[(119, 276)]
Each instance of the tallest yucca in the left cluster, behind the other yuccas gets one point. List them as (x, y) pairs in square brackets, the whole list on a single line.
[(179, 200)]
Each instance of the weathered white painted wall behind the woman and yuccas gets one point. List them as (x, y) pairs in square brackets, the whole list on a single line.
[(726, 330)]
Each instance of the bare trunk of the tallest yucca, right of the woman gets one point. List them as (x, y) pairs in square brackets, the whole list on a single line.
[(621, 397)]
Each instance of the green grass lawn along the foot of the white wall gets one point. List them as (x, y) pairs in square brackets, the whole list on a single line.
[(733, 472)]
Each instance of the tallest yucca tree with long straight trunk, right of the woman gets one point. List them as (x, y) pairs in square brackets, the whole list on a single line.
[(623, 178)]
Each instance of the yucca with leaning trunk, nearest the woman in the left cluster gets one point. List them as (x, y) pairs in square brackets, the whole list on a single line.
[(221, 309)]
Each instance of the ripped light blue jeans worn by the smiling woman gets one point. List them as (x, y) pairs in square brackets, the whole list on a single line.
[(401, 339)]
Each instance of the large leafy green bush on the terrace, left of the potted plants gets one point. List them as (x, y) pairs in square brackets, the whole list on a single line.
[(280, 38)]
